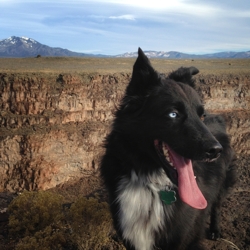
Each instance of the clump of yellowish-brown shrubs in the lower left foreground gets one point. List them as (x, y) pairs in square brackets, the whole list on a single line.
[(40, 221)]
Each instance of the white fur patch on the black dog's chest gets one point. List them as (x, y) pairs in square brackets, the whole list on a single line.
[(141, 210)]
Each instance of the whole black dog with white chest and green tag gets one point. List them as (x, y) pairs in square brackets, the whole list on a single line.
[(167, 164)]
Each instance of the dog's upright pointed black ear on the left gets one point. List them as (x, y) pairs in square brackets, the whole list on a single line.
[(144, 77)]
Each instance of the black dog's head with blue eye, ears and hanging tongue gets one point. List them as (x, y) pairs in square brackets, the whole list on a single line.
[(167, 113)]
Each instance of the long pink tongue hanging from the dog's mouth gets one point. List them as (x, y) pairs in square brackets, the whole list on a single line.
[(188, 189)]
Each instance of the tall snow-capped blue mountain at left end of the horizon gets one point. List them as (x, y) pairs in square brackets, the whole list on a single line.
[(27, 47)]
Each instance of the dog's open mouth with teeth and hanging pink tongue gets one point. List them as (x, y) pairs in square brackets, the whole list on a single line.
[(180, 169)]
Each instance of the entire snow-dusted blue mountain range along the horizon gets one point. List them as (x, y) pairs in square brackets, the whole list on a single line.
[(27, 47)]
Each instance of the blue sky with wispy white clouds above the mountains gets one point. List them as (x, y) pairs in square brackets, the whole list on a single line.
[(113, 27)]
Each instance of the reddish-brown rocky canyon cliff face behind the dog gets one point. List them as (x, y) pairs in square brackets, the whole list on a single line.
[(52, 127)]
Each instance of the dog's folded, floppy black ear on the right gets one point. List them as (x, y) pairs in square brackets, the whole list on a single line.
[(184, 75)]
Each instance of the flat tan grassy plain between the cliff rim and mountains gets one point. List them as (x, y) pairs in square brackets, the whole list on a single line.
[(116, 65)]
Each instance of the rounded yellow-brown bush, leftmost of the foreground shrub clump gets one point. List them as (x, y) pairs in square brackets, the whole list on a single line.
[(31, 212)]
